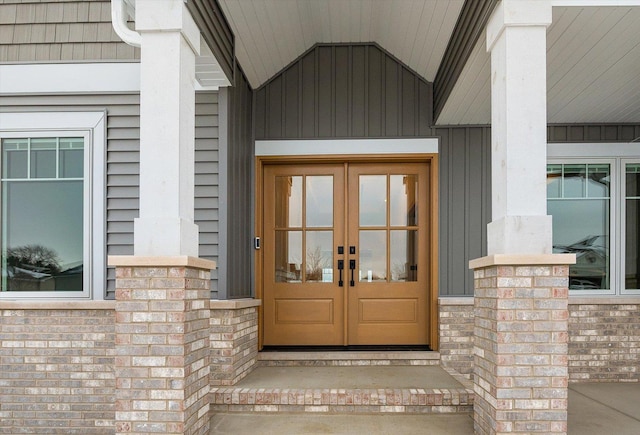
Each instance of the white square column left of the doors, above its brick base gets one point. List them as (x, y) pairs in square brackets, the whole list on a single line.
[(170, 41)]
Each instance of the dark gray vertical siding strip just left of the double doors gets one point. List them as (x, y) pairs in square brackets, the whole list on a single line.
[(236, 182)]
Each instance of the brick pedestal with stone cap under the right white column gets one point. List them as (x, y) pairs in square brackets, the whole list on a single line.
[(521, 343)]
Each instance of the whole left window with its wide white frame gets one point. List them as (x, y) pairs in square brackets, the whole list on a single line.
[(52, 205)]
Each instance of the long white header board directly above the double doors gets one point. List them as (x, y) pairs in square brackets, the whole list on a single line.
[(346, 146)]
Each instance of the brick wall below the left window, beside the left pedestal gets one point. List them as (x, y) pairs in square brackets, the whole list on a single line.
[(56, 367)]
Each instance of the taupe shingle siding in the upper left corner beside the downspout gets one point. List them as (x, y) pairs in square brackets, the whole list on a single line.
[(60, 30)]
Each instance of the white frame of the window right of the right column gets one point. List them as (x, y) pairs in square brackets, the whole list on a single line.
[(616, 155)]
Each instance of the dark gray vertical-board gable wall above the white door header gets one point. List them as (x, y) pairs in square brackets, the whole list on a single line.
[(344, 91)]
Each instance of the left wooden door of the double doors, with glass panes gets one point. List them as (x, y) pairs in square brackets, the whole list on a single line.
[(303, 226)]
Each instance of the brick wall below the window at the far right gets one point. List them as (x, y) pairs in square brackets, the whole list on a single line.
[(604, 341)]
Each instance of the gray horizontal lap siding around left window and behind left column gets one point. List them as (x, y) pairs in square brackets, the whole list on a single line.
[(122, 161)]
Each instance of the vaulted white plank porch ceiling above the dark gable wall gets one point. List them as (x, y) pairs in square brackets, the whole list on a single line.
[(270, 34)]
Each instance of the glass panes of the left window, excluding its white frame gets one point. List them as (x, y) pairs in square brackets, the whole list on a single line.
[(42, 218)]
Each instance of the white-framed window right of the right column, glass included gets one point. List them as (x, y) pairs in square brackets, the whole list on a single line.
[(595, 203)]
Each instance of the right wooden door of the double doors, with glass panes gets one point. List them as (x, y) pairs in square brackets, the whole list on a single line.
[(388, 302)]
